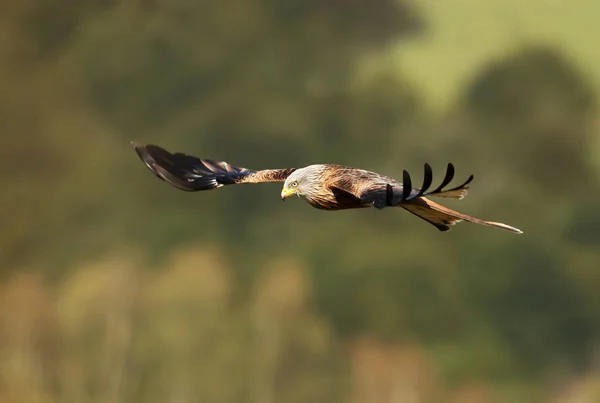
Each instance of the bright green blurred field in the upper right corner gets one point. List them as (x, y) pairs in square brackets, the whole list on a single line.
[(470, 31)]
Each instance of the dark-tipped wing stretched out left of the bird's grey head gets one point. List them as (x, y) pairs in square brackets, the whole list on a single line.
[(192, 174)]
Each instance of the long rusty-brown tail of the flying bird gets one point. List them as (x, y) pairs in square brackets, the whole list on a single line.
[(444, 218)]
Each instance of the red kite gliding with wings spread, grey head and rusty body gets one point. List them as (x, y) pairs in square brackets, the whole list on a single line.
[(324, 186)]
